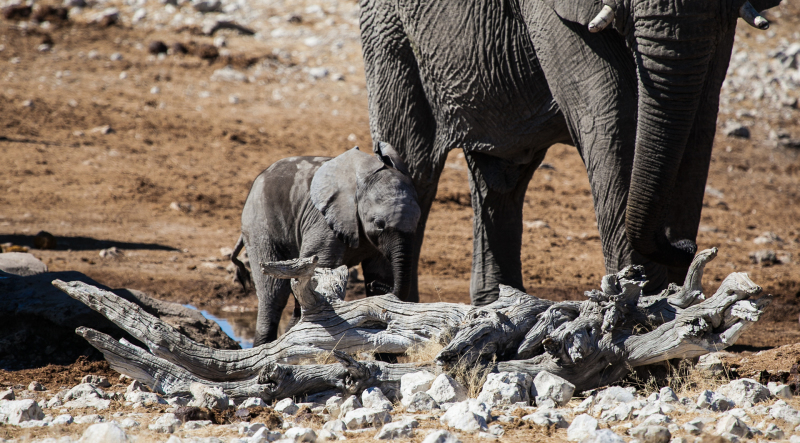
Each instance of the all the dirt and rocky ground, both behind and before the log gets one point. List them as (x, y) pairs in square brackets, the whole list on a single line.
[(131, 132)]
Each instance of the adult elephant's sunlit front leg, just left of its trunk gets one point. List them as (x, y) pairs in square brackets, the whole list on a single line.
[(593, 79)]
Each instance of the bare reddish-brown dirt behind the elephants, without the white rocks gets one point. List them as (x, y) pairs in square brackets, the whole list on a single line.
[(166, 181)]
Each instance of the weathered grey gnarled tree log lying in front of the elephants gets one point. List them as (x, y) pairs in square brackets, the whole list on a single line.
[(590, 343)]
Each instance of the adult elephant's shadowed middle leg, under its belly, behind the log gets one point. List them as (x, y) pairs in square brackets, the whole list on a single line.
[(497, 223)]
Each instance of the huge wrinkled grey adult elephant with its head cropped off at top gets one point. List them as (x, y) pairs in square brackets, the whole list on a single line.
[(633, 84)]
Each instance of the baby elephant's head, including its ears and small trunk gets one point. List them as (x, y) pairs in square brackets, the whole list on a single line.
[(372, 197)]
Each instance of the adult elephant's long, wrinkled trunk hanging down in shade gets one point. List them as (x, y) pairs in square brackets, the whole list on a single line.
[(671, 79)]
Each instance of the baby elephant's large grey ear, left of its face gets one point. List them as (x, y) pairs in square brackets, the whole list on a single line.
[(334, 189)]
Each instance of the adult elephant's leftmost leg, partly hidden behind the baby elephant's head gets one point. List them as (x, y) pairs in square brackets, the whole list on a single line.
[(399, 113)]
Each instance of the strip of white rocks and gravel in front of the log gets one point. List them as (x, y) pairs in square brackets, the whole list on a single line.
[(508, 406)]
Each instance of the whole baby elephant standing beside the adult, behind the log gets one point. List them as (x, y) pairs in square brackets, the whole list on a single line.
[(351, 209)]
